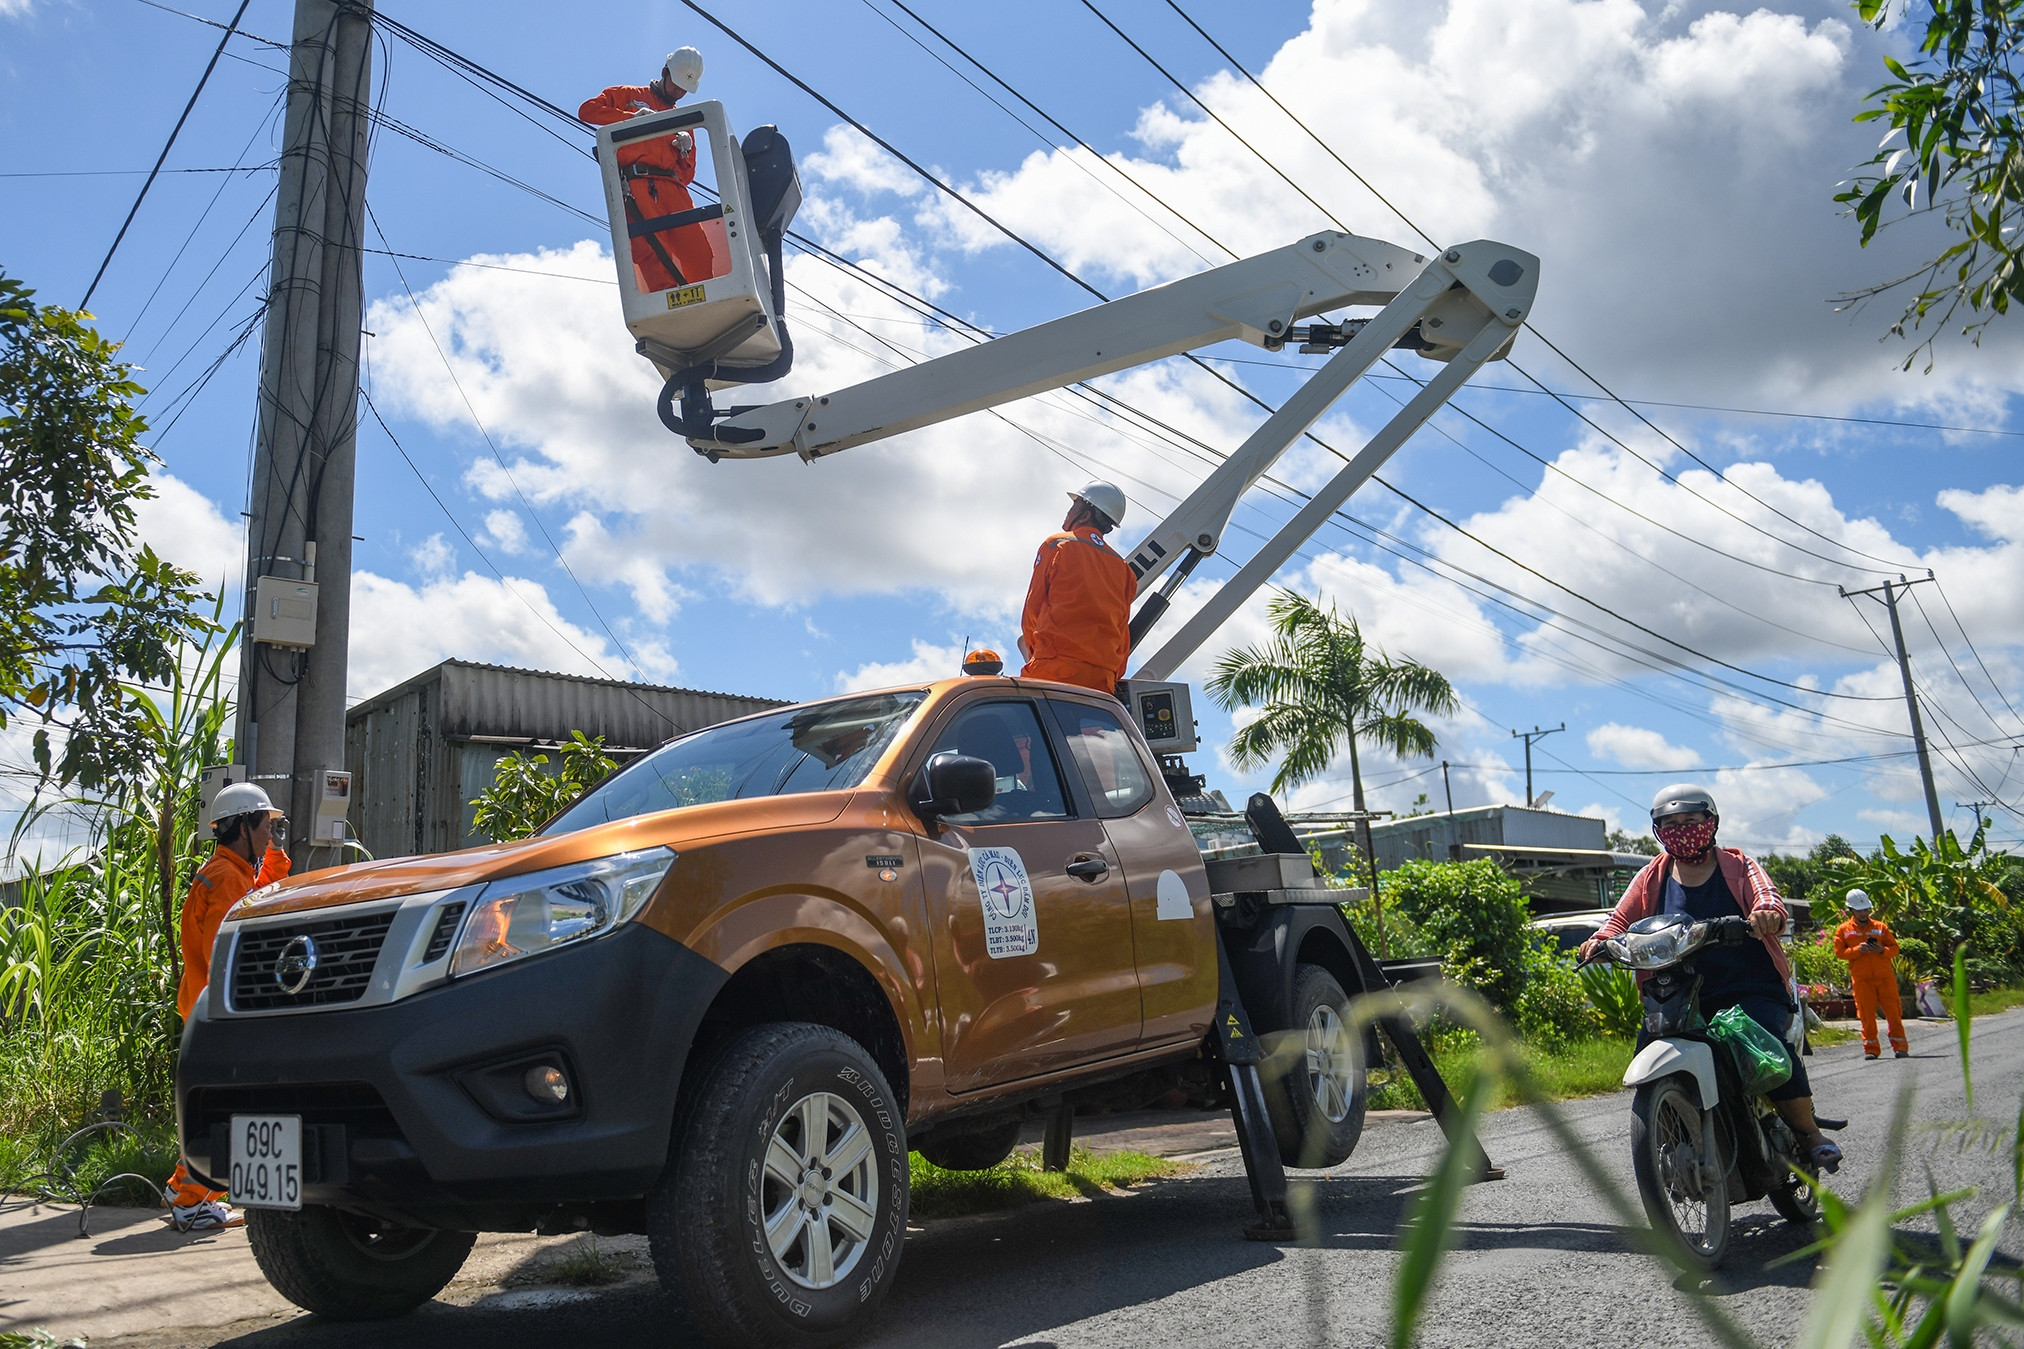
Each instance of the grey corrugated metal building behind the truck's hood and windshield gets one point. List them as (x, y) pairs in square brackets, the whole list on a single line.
[(424, 749)]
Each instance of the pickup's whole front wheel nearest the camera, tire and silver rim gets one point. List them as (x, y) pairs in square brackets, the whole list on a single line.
[(784, 1208)]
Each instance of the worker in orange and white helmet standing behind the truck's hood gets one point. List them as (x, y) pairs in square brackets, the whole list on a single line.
[(244, 824)]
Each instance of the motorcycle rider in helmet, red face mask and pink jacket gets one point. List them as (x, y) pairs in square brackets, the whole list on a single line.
[(1693, 877)]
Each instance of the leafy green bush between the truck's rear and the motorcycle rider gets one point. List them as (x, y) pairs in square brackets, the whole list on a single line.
[(1472, 917)]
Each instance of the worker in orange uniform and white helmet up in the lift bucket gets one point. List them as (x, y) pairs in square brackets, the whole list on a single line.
[(659, 171)]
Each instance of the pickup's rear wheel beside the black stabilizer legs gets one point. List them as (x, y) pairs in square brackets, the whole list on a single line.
[(1315, 1083)]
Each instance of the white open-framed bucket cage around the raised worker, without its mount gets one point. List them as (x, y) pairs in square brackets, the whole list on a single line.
[(663, 234)]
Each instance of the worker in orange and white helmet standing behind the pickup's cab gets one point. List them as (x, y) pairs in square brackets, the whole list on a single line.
[(1078, 624)]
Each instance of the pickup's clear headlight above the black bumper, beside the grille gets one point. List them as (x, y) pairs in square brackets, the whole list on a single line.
[(541, 911)]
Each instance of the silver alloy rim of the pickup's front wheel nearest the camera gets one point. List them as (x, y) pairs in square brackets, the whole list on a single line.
[(821, 1190)]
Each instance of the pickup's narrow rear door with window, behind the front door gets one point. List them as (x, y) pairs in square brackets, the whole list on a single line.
[(1173, 927)]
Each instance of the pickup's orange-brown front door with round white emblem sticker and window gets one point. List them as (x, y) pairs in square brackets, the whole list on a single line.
[(1033, 962)]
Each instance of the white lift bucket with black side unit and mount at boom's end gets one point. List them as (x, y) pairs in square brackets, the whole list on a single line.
[(728, 325)]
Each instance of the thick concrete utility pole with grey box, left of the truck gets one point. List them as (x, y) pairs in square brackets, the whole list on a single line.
[(301, 503)]
